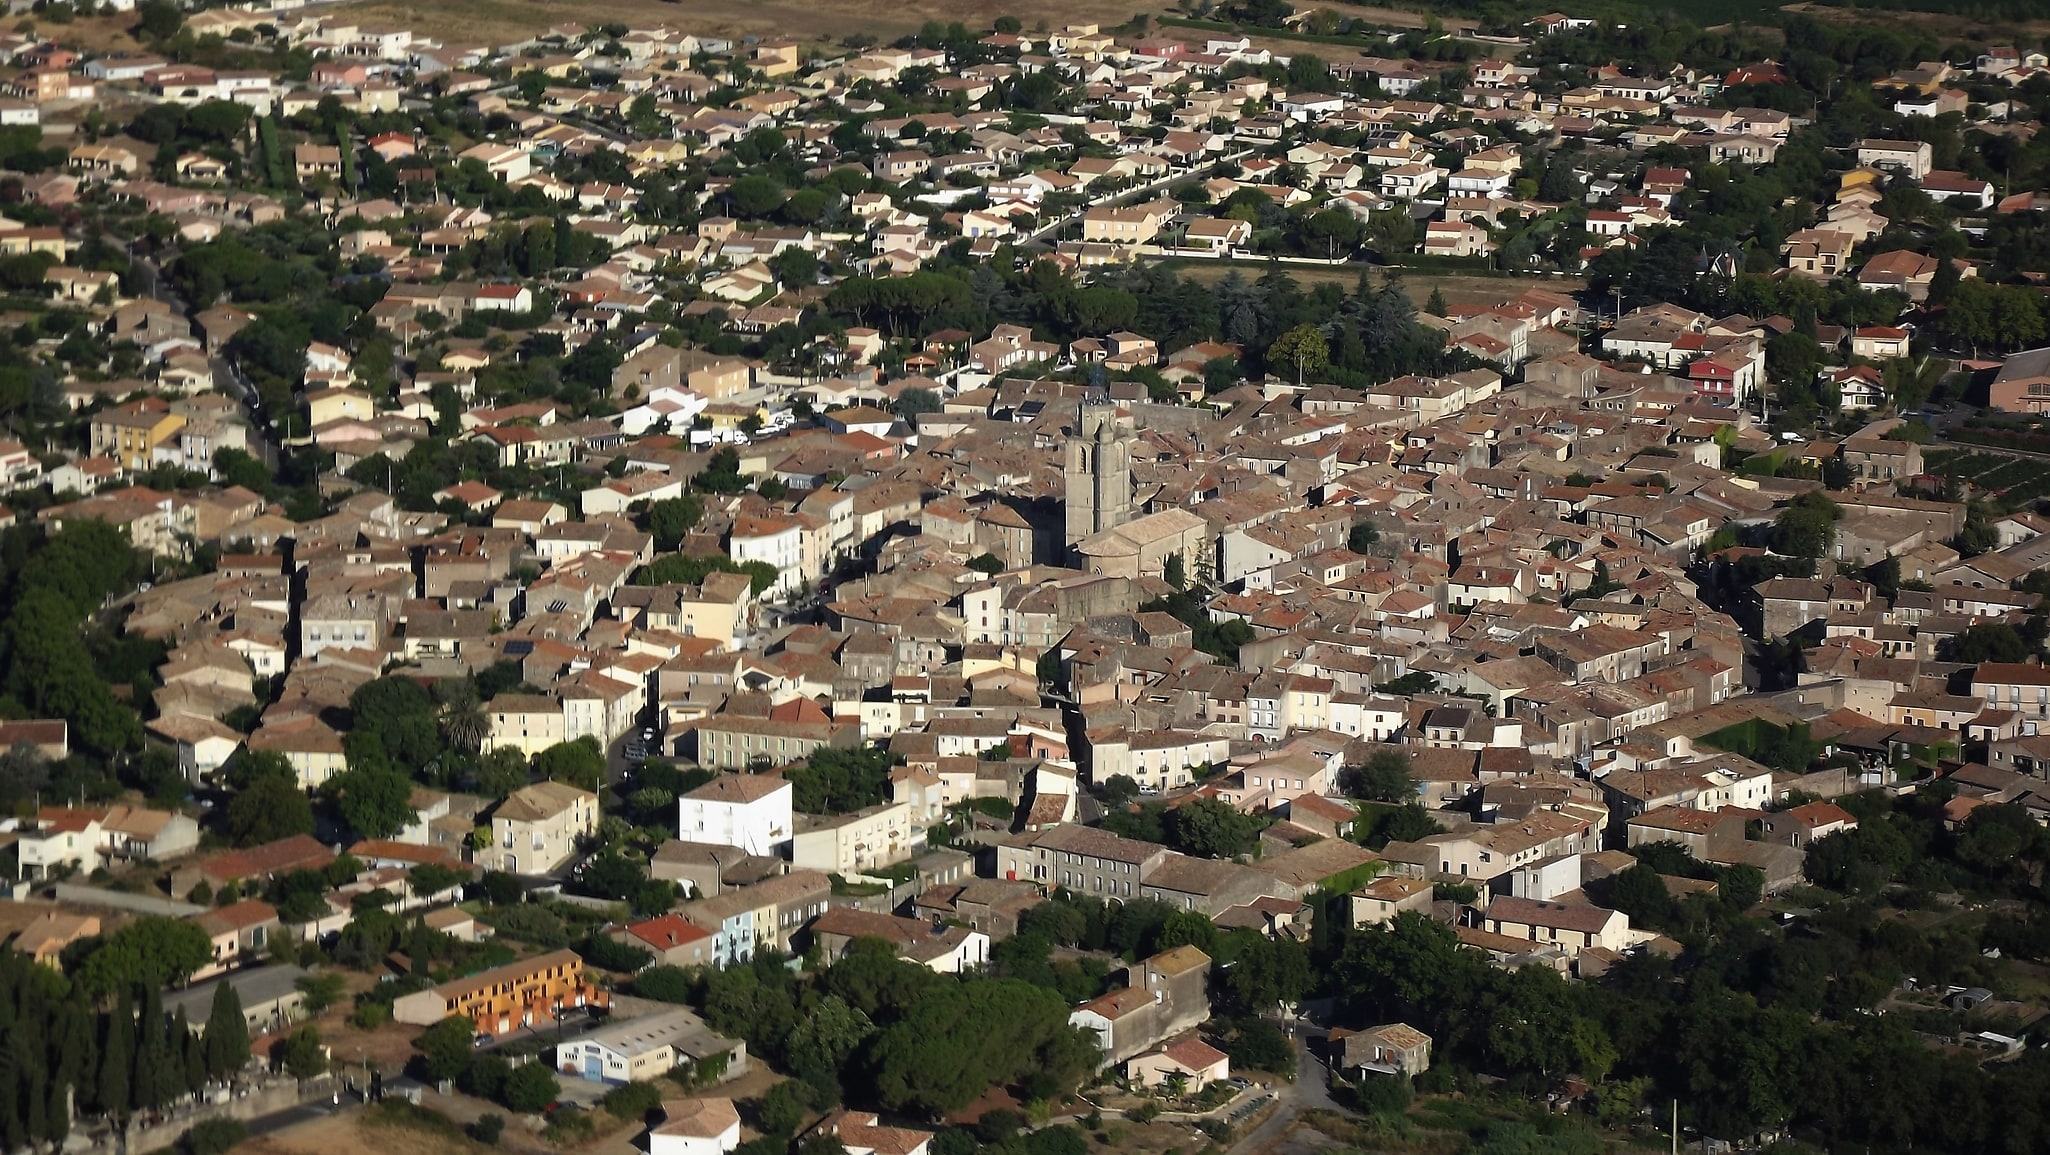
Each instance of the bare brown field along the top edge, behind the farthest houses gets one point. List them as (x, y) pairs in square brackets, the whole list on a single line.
[(801, 19)]
